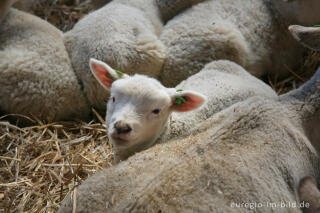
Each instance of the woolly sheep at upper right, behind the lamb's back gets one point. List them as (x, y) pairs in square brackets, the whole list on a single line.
[(251, 33)]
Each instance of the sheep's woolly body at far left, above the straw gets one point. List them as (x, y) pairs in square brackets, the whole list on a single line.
[(36, 76)]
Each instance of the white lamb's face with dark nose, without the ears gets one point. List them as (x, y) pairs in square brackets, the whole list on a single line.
[(137, 111)]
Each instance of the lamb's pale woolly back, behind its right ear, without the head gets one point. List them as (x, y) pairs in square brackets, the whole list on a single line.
[(230, 83)]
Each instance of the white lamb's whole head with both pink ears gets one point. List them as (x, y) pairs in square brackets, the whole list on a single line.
[(139, 107)]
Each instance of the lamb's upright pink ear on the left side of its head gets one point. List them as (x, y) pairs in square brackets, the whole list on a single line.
[(104, 73)]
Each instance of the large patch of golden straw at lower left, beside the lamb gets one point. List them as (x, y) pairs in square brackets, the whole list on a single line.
[(41, 163)]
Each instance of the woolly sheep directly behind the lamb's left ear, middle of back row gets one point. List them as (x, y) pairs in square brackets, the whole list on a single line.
[(124, 34)]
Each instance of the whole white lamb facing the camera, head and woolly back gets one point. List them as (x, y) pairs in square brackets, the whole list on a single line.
[(139, 107)]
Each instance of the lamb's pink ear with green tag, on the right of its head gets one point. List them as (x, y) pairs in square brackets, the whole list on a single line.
[(184, 101)]
